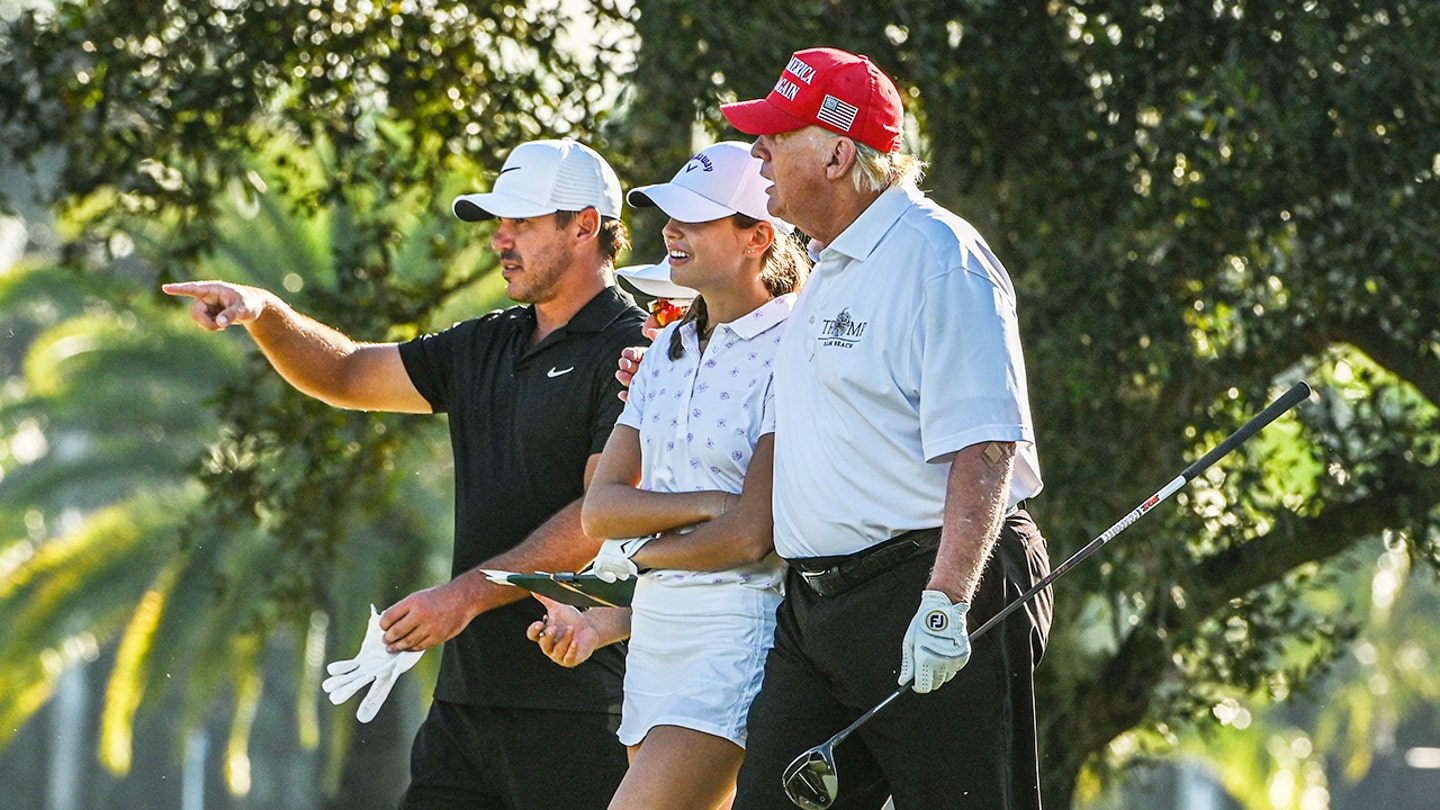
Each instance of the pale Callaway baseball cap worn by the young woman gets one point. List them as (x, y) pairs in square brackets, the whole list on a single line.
[(721, 181)]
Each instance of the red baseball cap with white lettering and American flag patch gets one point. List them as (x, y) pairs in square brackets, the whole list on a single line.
[(832, 89)]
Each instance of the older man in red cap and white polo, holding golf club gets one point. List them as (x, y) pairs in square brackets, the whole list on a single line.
[(904, 453)]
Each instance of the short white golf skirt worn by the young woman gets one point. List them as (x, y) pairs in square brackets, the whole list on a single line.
[(696, 658)]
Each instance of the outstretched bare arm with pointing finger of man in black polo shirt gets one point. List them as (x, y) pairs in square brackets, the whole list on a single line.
[(312, 357)]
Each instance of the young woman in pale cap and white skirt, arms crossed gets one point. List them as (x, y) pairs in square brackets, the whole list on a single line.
[(690, 460)]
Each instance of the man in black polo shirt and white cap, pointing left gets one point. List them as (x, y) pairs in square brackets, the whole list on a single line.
[(532, 399)]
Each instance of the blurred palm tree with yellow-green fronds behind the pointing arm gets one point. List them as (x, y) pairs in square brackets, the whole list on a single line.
[(171, 504)]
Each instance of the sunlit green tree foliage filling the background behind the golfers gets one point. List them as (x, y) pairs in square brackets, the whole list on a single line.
[(1199, 204)]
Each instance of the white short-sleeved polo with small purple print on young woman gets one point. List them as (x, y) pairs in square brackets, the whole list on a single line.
[(701, 417)]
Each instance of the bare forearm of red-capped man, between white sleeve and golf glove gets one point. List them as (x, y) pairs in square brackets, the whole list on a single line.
[(976, 501)]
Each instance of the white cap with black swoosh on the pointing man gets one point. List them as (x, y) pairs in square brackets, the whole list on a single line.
[(542, 178)]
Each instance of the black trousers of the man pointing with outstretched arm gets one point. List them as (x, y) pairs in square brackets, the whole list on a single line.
[(496, 759)]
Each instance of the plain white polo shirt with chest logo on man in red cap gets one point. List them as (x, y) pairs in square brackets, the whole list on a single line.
[(904, 348)]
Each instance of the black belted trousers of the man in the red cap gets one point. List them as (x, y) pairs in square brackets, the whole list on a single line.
[(970, 744)]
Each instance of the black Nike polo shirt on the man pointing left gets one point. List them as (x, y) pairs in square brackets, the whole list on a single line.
[(523, 424)]
